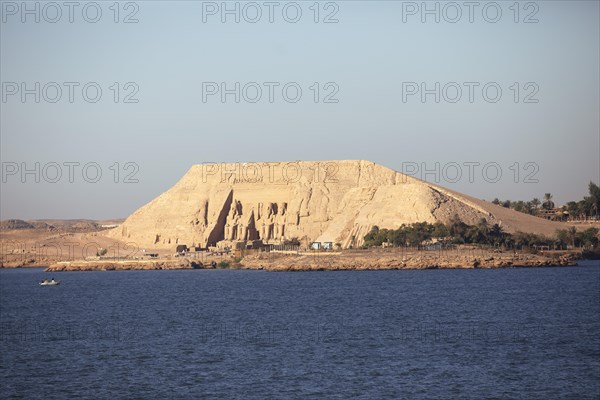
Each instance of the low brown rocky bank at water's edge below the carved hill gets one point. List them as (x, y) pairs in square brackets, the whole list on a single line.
[(336, 261)]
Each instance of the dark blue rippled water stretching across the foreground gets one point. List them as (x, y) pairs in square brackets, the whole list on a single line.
[(506, 333)]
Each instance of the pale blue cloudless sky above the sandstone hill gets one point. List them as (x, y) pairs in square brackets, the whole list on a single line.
[(373, 49)]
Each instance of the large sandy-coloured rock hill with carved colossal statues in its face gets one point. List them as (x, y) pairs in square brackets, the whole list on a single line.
[(327, 201)]
